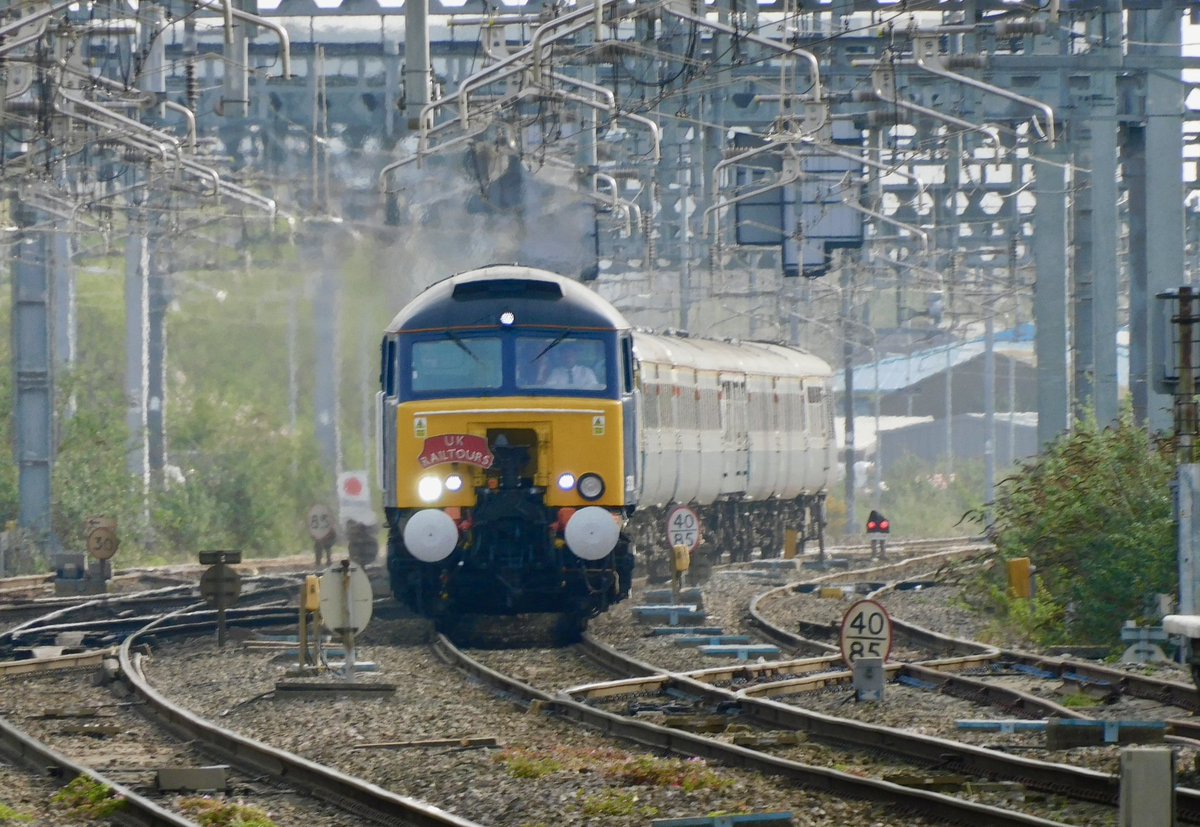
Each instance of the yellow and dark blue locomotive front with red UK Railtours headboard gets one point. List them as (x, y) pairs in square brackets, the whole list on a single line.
[(507, 446)]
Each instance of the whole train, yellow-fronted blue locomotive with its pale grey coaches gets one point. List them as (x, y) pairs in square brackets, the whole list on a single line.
[(529, 436)]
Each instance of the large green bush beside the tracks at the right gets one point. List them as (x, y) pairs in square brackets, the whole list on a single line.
[(1094, 514)]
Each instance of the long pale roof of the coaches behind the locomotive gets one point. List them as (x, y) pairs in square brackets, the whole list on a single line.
[(742, 357)]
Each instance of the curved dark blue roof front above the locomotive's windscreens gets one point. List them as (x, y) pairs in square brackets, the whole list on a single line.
[(538, 298)]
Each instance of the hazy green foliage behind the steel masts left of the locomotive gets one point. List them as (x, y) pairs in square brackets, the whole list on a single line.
[(243, 462)]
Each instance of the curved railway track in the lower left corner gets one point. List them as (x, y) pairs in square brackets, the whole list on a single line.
[(265, 771)]
